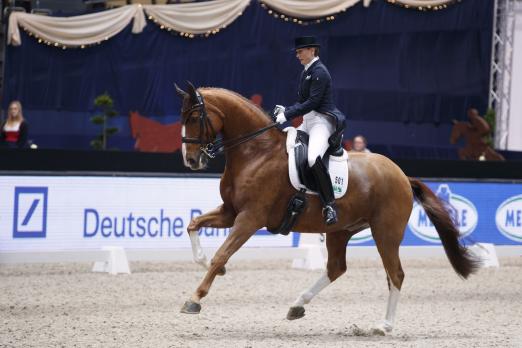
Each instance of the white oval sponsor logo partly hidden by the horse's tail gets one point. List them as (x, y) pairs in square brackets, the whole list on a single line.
[(462, 210)]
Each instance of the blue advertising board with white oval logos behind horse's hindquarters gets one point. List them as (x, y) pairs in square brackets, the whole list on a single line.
[(485, 212)]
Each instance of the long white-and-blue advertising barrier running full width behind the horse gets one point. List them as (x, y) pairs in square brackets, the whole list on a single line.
[(49, 213)]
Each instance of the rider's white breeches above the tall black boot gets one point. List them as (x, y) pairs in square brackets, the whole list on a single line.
[(319, 128)]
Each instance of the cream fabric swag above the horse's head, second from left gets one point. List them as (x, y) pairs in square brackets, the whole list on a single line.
[(199, 17)]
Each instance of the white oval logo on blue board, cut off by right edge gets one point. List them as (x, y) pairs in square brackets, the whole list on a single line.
[(509, 218)]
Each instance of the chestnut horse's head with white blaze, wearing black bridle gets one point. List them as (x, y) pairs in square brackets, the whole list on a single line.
[(200, 126)]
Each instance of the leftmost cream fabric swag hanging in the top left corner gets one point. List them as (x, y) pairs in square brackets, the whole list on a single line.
[(78, 30)]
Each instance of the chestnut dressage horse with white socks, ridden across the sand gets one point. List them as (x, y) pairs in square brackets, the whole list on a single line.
[(255, 189)]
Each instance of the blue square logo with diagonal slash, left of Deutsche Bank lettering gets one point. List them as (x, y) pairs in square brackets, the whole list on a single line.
[(30, 212)]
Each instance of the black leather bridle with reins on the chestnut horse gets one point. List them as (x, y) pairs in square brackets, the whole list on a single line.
[(207, 133)]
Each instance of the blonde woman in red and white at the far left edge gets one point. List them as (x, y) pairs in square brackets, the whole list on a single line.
[(13, 131)]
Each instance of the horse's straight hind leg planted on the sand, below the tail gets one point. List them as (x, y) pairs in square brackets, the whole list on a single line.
[(388, 238)]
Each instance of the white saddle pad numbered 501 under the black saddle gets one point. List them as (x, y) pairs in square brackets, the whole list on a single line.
[(338, 167)]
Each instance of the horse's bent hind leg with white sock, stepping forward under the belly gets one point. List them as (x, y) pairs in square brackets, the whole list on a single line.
[(336, 266)]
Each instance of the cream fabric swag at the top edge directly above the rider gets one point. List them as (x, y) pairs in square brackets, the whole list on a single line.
[(310, 9)]
